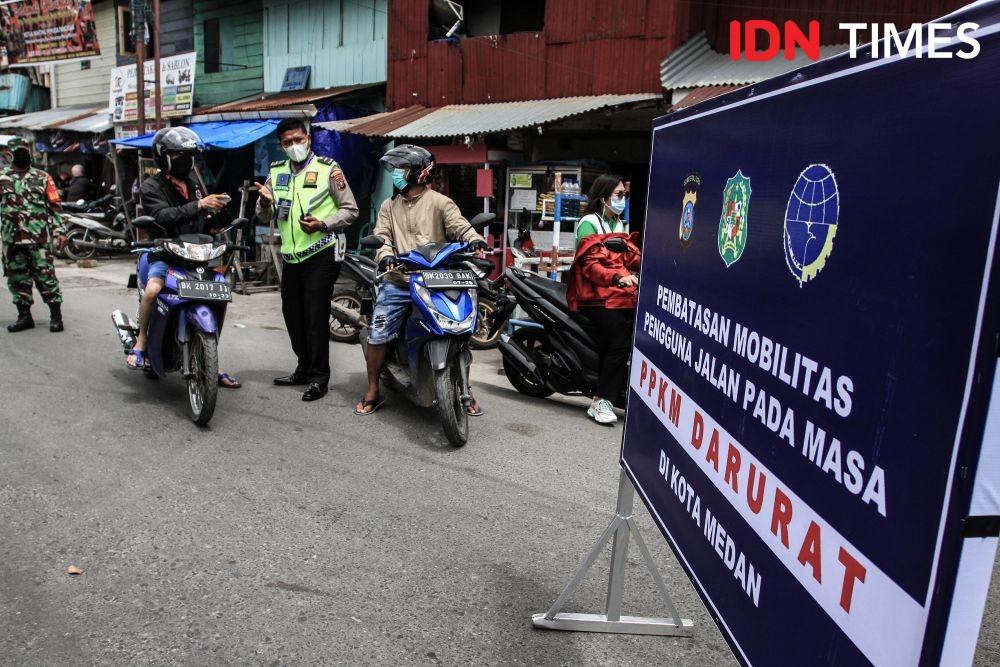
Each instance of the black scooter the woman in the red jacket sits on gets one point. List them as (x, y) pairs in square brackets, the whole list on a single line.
[(560, 354)]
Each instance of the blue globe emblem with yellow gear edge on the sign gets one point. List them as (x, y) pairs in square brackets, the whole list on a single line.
[(811, 222)]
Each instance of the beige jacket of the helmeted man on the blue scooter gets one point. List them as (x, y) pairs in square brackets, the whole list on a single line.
[(431, 217)]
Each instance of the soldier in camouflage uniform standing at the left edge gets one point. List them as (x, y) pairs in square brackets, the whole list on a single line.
[(28, 222)]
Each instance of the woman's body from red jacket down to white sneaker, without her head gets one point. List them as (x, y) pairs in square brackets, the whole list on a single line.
[(603, 287)]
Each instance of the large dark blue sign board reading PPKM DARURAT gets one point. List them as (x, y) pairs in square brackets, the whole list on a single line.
[(812, 356)]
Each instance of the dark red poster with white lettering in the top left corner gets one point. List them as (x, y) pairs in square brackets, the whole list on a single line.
[(44, 32)]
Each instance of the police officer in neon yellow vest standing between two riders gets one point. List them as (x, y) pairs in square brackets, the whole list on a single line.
[(313, 203)]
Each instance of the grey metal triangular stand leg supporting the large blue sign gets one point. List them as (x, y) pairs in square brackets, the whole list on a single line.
[(621, 528)]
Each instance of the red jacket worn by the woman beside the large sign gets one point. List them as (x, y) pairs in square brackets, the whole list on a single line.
[(595, 271)]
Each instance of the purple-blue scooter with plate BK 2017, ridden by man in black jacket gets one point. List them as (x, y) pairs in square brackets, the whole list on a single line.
[(184, 327)]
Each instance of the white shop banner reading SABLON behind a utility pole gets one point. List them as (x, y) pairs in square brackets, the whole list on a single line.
[(176, 81)]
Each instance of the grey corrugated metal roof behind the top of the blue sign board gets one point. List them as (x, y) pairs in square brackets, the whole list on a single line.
[(695, 64)]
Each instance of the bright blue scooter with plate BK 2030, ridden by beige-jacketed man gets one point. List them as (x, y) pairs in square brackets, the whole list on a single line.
[(428, 362)]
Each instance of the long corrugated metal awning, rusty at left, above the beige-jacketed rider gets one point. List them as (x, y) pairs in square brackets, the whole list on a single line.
[(467, 119)]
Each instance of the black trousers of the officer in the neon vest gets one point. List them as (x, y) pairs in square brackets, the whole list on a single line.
[(306, 290)]
